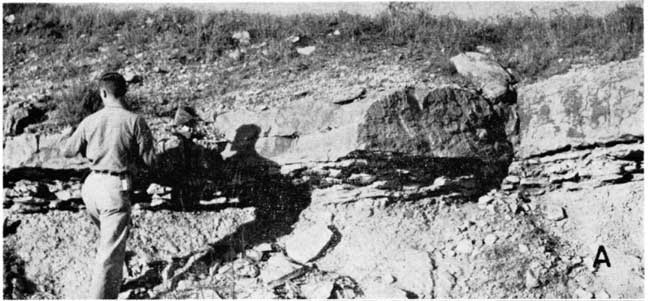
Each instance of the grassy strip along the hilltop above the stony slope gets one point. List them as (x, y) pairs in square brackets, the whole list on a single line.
[(533, 46)]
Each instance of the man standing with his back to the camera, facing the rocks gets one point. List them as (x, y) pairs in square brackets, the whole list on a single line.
[(114, 140)]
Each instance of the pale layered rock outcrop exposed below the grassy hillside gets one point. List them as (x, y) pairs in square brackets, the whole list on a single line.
[(429, 191)]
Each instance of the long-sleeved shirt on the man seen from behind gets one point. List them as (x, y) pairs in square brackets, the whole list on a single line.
[(112, 139)]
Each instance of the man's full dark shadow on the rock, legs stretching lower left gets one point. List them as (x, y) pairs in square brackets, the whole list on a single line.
[(256, 182)]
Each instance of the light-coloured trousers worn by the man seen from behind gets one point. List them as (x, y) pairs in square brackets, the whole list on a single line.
[(109, 208)]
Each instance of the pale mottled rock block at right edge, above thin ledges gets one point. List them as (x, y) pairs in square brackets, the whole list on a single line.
[(583, 107)]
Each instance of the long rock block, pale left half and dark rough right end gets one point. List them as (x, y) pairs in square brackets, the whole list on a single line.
[(444, 121)]
